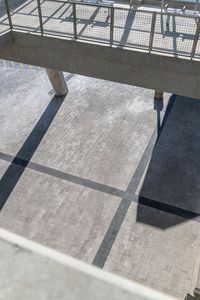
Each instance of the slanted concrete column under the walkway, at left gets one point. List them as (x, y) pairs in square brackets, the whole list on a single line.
[(58, 82)]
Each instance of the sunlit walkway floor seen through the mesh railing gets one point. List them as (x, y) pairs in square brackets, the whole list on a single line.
[(131, 28)]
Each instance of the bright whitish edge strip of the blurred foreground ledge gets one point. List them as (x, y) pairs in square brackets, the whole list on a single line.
[(130, 287)]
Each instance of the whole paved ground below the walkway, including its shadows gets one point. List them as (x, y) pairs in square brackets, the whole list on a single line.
[(82, 174)]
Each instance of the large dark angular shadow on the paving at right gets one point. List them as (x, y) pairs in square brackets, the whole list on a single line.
[(170, 192)]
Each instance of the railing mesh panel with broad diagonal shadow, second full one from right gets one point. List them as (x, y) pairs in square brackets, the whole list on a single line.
[(132, 28)]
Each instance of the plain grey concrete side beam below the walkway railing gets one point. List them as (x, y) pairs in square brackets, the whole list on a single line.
[(160, 72)]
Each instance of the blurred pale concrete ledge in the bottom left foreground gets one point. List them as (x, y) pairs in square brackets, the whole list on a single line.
[(36, 272)]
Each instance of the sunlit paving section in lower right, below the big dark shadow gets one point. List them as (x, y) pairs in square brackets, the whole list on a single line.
[(167, 260)]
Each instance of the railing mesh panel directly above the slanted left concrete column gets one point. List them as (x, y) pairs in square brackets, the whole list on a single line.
[(57, 17)]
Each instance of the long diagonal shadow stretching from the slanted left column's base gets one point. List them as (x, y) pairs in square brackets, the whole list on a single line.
[(20, 162)]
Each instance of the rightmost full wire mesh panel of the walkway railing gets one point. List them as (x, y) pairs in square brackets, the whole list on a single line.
[(174, 34)]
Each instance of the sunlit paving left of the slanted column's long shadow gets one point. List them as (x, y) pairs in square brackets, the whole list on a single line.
[(22, 104)]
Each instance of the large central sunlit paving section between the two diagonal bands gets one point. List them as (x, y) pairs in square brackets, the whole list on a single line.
[(101, 138)]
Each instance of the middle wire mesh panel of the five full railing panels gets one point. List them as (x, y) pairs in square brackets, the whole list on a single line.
[(93, 23)]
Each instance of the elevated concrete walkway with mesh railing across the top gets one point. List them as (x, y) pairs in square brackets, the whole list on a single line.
[(152, 49)]
